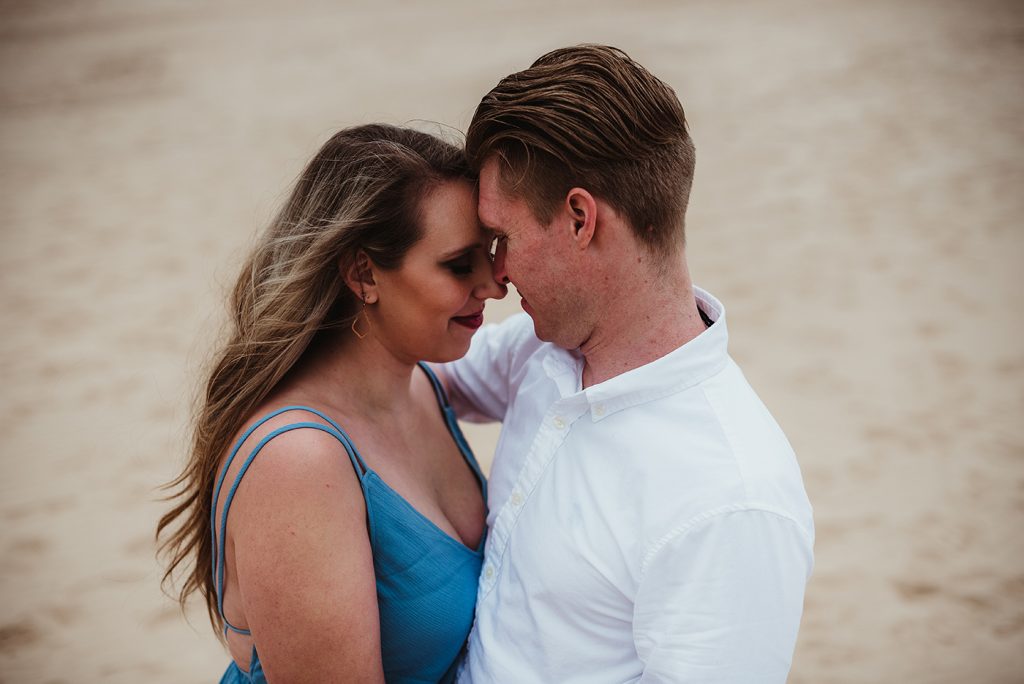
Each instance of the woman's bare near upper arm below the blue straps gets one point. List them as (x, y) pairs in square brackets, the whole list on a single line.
[(305, 564)]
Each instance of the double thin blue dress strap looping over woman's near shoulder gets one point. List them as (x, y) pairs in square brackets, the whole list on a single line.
[(219, 548)]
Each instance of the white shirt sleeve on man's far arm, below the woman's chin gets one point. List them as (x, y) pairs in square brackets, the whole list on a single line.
[(481, 384)]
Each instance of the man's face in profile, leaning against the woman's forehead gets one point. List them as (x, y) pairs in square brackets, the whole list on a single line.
[(536, 260)]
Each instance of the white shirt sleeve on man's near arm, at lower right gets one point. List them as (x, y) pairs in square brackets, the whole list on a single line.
[(720, 601)]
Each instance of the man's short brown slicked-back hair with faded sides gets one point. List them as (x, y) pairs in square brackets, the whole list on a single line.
[(591, 117)]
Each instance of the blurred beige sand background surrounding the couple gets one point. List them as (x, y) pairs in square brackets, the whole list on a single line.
[(859, 207)]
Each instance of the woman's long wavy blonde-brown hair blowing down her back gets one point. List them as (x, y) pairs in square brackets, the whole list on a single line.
[(361, 193)]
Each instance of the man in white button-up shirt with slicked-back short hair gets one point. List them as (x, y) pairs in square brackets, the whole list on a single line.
[(648, 518)]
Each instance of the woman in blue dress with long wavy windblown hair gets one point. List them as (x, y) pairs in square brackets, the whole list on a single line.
[(332, 506)]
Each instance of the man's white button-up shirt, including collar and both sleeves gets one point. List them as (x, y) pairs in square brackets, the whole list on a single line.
[(653, 528)]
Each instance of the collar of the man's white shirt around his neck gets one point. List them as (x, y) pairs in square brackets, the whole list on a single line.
[(692, 364)]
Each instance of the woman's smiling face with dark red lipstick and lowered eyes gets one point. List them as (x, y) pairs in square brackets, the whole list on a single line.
[(430, 308)]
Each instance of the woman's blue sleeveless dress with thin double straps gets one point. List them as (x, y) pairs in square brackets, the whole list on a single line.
[(426, 580)]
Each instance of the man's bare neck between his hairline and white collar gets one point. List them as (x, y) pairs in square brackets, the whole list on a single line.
[(657, 315)]
